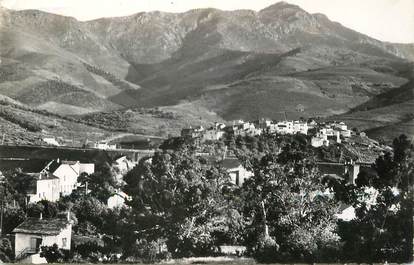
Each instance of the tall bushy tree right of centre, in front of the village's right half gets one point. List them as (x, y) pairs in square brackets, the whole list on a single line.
[(290, 218)]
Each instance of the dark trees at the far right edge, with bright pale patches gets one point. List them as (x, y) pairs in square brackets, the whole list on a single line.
[(382, 230)]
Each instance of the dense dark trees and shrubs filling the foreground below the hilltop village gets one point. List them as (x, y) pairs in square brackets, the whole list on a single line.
[(185, 205)]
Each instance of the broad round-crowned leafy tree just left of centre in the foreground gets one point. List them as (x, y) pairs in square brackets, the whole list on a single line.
[(177, 196)]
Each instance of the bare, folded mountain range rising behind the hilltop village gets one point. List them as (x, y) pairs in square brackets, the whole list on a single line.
[(205, 65)]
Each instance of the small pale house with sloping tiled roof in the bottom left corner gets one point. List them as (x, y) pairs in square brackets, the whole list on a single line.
[(34, 233)]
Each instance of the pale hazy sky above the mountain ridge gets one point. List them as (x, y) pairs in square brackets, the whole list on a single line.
[(387, 20)]
